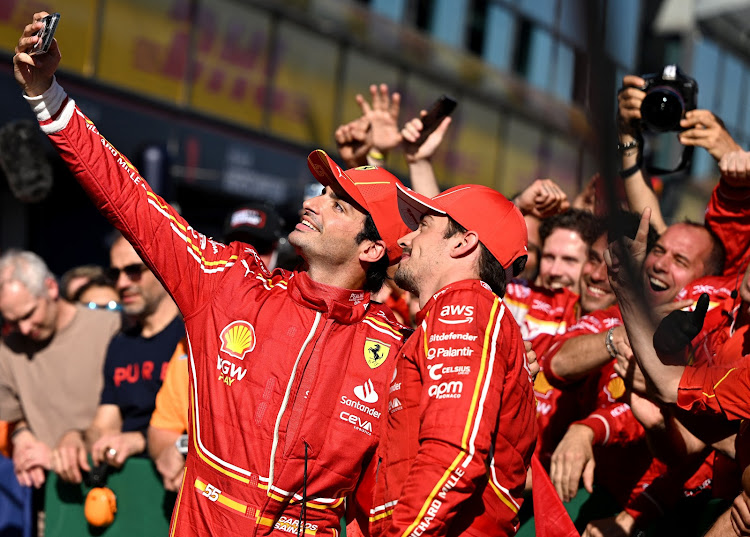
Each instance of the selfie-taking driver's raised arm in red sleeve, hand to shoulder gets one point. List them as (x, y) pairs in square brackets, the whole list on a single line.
[(189, 264)]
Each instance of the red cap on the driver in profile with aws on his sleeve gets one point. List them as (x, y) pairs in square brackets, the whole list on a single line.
[(498, 222)]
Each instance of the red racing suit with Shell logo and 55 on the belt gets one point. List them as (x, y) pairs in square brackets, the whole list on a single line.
[(288, 377)]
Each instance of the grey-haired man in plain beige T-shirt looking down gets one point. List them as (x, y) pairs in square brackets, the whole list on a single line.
[(51, 358)]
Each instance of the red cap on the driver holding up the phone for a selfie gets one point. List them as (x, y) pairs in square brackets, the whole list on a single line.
[(373, 189)]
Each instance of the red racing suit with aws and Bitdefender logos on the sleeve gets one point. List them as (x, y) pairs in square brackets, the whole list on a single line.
[(460, 425)]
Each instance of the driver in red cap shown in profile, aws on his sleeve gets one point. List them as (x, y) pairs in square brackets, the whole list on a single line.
[(460, 425)]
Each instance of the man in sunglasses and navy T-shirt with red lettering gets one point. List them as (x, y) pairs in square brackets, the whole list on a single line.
[(134, 369)]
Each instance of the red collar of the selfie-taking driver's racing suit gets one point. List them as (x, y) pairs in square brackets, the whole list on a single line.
[(346, 306)]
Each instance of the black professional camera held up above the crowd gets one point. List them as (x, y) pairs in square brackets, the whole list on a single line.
[(669, 95)]
